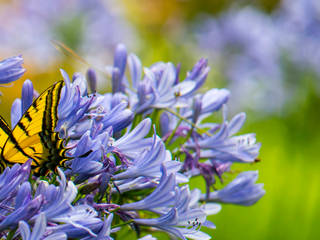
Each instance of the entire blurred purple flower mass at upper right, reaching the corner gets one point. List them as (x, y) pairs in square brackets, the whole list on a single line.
[(260, 54)]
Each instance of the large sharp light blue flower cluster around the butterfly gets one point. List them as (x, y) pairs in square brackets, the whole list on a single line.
[(132, 154)]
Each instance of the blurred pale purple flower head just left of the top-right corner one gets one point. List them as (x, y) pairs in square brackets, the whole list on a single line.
[(249, 59)]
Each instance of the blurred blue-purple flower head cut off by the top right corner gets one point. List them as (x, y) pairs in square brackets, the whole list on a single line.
[(298, 24)]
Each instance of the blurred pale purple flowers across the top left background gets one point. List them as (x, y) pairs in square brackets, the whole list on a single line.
[(75, 25)]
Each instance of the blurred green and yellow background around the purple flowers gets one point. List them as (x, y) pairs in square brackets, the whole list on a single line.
[(290, 137)]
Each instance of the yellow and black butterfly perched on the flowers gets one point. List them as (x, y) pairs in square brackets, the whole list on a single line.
[(34, 136)]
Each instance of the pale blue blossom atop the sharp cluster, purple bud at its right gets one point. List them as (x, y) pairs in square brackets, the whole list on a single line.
[(160, 86)]
